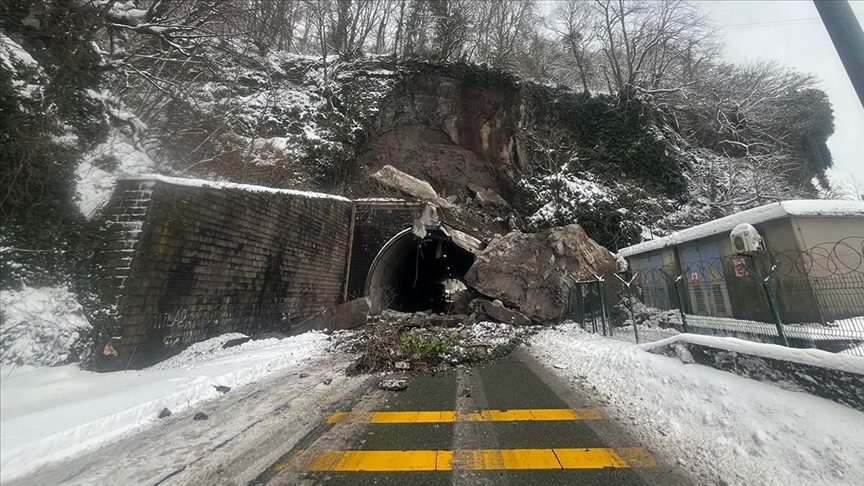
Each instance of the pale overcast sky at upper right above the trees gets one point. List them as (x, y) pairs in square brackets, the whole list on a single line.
[(792, 33)]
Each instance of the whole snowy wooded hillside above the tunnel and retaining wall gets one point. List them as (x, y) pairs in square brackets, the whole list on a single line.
[(619, 115)]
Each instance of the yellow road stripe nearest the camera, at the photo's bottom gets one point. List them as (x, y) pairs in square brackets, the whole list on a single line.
[(482, 459)]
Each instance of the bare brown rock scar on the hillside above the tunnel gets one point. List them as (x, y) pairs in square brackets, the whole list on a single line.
[(447, 132)]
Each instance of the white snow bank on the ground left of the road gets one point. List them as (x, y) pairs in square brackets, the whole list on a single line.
[(48, 414)]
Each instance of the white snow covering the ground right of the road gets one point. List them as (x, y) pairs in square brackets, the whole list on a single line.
[(723, 428)]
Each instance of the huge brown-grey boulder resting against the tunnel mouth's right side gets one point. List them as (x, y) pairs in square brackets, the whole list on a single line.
[(531, 272)]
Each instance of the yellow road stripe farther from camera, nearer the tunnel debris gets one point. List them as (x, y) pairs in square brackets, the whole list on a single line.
[(414, 417)]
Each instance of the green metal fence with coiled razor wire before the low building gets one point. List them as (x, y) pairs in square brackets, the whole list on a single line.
[(809, 299)]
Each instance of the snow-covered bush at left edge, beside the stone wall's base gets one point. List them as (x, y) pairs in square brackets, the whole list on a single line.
[(39, 326)]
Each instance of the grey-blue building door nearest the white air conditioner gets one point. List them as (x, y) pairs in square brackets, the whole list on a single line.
[(706, 283)]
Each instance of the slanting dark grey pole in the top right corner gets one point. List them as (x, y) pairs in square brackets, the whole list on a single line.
[(848, 39)]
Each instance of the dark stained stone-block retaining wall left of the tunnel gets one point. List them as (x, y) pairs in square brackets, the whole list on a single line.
[(190, 262)]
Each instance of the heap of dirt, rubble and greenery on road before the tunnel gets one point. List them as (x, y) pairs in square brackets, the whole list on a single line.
[(427, 343)]
